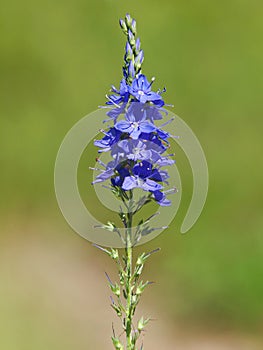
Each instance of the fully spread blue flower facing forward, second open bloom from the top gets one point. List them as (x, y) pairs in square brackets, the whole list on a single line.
[(134, 126)]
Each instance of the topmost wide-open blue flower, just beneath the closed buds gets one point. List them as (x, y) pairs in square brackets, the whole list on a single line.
[(141, 90)]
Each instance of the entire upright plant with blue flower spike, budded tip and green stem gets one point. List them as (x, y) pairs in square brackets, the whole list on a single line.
[(137, 147)]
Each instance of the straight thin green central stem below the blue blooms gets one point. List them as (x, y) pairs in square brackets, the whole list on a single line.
[(128, 251)]
